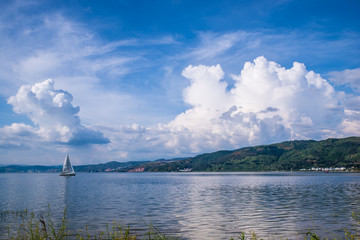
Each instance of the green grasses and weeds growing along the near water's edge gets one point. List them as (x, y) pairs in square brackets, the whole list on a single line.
[(30, 226)]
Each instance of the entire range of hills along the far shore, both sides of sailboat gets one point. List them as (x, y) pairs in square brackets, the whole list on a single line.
[(284, 156)]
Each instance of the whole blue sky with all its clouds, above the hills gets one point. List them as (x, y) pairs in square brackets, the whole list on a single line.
[(141, 80)]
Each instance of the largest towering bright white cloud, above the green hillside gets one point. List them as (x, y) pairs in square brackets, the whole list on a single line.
[(268, 103)]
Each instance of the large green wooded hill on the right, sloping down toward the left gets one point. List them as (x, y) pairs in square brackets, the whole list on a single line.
[(291, 155)]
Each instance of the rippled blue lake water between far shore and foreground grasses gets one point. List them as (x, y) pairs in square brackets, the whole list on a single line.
[(192, 205)]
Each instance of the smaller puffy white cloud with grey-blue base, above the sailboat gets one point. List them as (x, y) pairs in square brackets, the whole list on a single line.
[(54, 116)]
